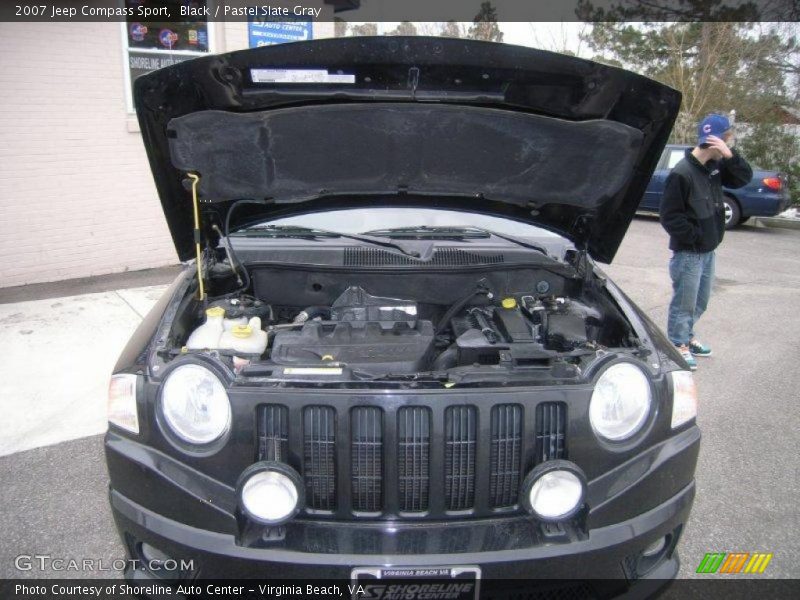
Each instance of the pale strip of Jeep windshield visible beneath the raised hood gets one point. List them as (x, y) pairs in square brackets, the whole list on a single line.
[(365, 220)]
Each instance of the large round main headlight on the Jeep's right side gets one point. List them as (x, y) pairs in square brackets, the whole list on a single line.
[(620, 402)]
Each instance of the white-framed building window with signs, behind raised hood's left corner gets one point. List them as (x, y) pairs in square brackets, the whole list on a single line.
[(151, 45)]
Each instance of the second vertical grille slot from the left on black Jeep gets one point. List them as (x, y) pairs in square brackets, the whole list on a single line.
[(319, 457)]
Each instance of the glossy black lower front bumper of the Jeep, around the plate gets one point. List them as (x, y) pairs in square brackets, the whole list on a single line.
[(598, 566)]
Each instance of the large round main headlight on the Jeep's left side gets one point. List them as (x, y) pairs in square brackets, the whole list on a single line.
[(194, 405)]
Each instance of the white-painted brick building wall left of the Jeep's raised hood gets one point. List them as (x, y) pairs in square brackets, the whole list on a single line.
[(76, 194)]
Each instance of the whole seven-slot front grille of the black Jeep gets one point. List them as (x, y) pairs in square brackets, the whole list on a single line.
[(396, 460)]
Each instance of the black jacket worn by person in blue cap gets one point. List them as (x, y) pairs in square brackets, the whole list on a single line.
[(691, 207)]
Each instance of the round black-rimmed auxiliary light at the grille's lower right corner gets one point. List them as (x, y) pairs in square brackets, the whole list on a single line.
[(554, 491)]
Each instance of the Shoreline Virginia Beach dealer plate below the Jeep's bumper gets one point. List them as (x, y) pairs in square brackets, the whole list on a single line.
[(415, 583)]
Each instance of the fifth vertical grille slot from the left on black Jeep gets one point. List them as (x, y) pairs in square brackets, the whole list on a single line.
[(460, 441)]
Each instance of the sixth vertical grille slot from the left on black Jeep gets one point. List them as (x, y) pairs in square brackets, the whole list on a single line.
[(506, 454)]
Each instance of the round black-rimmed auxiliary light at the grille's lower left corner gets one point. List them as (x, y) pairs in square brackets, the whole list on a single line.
[(270, 492)]
